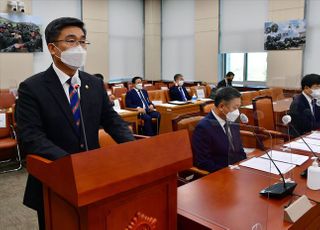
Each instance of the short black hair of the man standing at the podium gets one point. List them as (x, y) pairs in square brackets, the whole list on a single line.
[(54, 28)]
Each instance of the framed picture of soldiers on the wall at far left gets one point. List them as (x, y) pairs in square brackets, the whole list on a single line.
[(20, 33)]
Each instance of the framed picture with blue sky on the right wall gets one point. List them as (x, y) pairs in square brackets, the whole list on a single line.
[(285, 35)]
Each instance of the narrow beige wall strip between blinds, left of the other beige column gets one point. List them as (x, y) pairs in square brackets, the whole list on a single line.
[(152, 39)]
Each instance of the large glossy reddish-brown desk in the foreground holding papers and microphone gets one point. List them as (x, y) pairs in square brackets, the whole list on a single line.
[(229, 199)]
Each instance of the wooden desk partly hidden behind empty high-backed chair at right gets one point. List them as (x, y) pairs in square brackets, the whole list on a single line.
[(280, 108)]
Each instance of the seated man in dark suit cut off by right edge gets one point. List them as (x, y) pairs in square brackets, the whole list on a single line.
[(304, 111)]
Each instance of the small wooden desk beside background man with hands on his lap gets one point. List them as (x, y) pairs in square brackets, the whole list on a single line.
[(169, 112)]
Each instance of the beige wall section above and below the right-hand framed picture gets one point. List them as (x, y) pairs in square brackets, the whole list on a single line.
[(285, 67)]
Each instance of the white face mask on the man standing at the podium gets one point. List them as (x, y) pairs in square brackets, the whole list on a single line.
[(74, 57)]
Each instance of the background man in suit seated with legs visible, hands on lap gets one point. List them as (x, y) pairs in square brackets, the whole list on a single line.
[(138, 98)]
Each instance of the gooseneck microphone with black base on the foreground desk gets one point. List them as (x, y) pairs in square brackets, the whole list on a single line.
[(278, 190)]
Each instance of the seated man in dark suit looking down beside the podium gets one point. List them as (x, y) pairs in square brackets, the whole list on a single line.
[(216, 139)]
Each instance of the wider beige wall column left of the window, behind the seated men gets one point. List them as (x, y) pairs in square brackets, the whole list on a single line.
[(206, 40)]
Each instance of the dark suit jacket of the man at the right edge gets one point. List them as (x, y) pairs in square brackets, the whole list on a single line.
[(302, 118)]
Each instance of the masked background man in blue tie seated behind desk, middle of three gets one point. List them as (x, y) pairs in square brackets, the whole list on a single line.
[(178, 92)]
